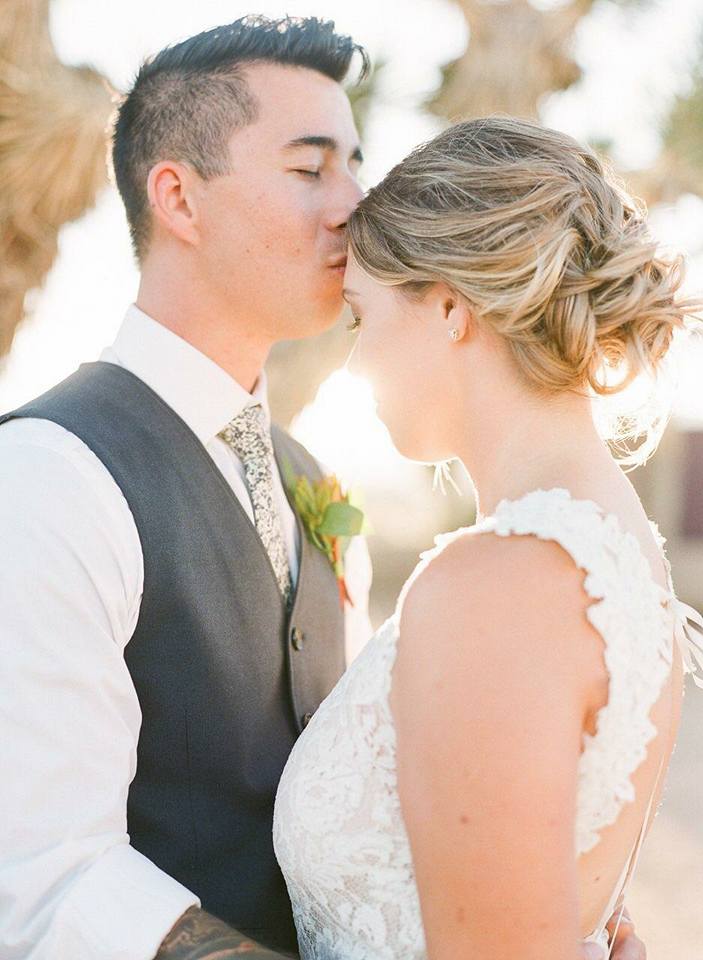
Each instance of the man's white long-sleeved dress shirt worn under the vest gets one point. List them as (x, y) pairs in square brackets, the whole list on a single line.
[(71, 886)]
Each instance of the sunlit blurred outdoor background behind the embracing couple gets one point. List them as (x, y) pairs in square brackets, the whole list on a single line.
[(625, 76)]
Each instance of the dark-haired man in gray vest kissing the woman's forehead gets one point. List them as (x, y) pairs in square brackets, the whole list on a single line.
[(169, 629)]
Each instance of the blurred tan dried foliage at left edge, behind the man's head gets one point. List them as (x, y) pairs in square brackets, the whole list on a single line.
[(53, 123)]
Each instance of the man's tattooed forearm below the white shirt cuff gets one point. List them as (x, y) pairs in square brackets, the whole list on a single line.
[(200, 936)]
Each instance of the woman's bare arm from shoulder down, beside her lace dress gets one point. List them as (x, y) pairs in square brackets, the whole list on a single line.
[(496, 669)]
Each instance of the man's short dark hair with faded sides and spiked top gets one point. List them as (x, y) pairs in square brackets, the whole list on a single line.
[(187, 100)]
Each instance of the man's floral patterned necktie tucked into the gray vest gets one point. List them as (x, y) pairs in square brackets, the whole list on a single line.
[(249, 437)]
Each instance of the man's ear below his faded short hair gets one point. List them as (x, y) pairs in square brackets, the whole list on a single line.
[(173, 199)]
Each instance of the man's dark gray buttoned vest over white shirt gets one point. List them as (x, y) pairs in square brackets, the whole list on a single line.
[(226, 679)]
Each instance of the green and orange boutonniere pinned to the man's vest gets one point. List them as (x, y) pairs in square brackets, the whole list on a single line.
[(329, 518)]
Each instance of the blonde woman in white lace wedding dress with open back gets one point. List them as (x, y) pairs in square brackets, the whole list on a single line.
[(479, 782)]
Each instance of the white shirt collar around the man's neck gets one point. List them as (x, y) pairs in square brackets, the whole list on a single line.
[(200, 391)]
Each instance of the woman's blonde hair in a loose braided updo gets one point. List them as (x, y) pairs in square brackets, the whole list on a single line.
[(546, 247)]
